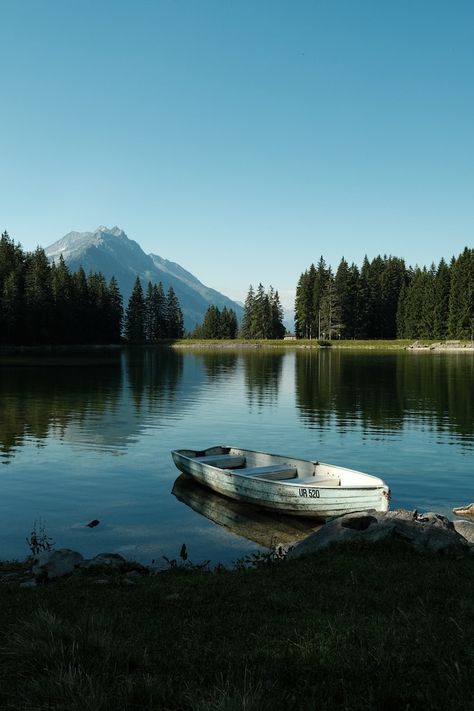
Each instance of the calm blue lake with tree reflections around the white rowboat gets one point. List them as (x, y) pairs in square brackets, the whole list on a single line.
[(87, 435)]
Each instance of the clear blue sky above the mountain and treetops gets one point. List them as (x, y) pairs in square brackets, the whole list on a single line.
[(245, 138)]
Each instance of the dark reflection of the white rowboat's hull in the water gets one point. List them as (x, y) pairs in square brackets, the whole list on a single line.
[(265, 529)]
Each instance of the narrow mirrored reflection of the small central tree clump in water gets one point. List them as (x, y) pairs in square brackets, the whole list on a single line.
[(262, 376)]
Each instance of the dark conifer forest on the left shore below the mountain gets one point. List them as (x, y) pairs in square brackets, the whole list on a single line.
[(43, 303)]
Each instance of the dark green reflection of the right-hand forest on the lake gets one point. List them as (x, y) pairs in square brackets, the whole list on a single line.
[(384, 391)]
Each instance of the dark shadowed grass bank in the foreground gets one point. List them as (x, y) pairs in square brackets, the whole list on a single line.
[(353, 628)]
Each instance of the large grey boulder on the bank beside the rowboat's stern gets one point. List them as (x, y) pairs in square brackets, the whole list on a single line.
[(427, 533)]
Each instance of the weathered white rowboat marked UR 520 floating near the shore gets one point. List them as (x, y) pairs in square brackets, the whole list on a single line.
[(298, 487)]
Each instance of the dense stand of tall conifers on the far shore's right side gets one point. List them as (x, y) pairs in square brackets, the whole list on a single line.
[(385, 299)]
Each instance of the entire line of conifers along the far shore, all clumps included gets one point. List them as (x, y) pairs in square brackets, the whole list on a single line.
[(43, 303)]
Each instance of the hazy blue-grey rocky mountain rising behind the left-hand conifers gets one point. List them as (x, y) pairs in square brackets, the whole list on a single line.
[(111, 252)]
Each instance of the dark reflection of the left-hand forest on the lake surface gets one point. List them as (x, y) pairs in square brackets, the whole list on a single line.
[(69, 394)]
